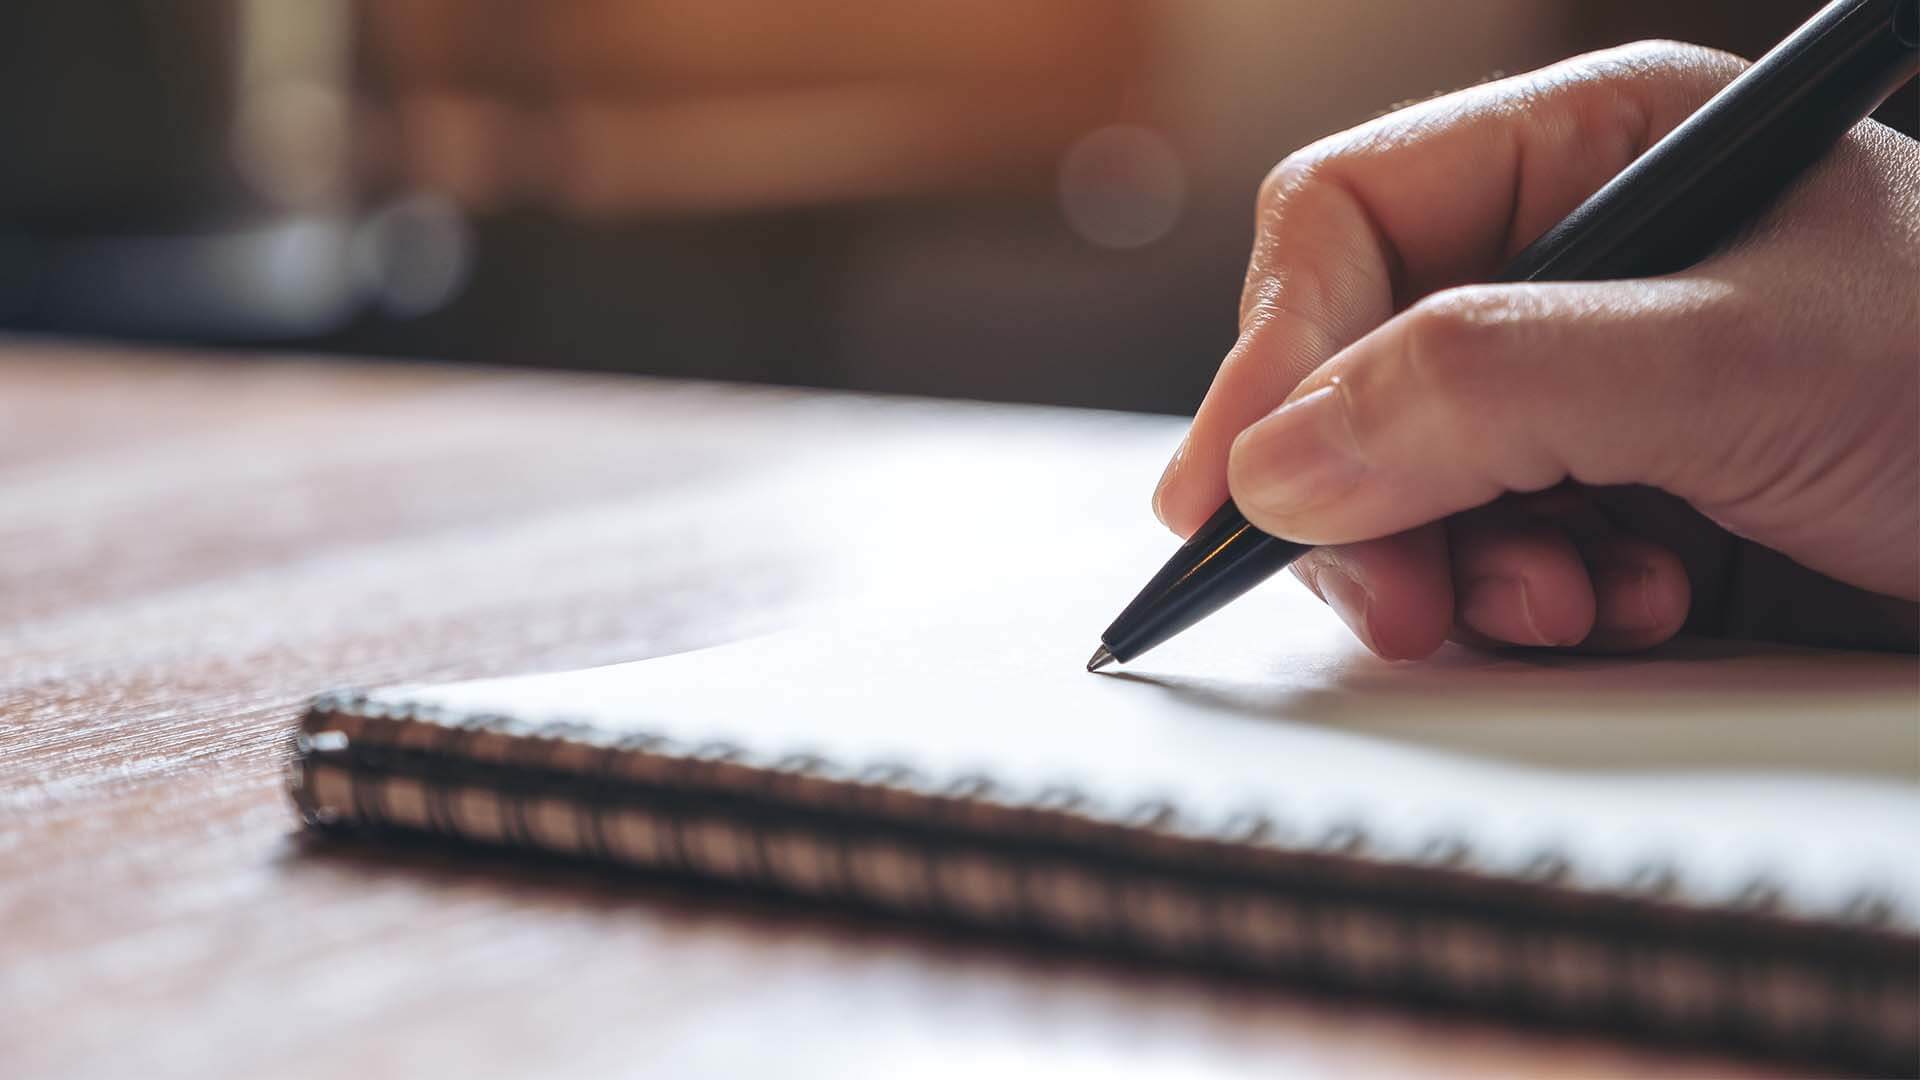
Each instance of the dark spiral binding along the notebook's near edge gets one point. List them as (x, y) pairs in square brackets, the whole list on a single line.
[(571, 789)]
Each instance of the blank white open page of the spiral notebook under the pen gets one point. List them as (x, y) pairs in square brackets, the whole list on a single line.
[(1723, 762)]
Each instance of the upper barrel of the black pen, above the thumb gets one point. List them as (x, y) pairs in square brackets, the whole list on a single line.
[(1719, 170)]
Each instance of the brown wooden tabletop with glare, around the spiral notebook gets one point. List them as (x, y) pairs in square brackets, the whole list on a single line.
[(193, 547)]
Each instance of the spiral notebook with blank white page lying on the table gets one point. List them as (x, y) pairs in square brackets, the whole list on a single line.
[(1714, 843)]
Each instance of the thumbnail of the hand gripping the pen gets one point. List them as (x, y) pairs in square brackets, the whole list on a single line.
[(1299, 458)]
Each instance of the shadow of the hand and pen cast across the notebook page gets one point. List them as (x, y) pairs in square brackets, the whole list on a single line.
[(1691, 706)]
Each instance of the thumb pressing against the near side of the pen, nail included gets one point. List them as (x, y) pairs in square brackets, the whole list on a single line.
[(1485, 391)]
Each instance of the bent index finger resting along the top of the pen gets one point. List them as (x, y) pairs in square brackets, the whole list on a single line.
[(1362, 224)]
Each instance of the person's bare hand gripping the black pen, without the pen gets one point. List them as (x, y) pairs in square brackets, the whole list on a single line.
[(1731, 451)]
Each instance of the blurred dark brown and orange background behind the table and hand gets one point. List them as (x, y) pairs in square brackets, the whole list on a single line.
[(992, 199)]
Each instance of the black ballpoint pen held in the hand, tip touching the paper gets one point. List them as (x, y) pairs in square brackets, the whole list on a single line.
[(1668, 210)]
